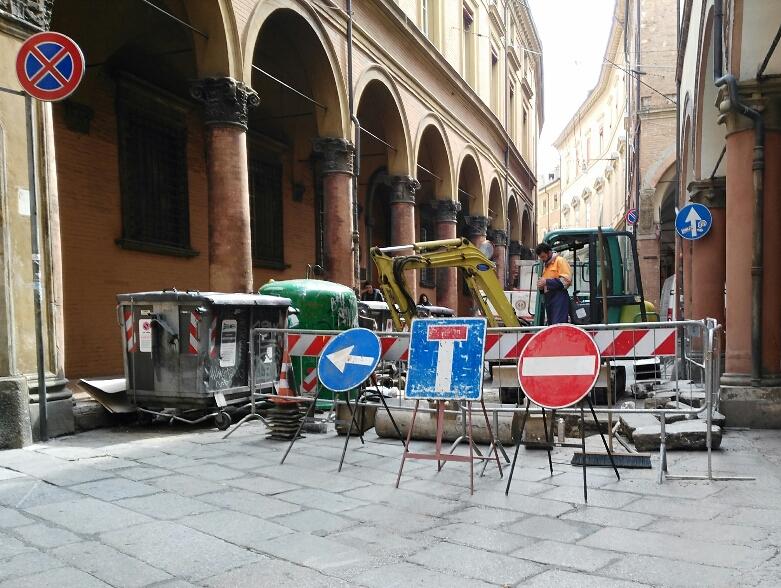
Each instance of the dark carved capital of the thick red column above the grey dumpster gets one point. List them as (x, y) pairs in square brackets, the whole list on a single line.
[(226, 101)]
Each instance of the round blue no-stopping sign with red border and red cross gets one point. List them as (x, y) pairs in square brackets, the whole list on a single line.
[(49, 66)]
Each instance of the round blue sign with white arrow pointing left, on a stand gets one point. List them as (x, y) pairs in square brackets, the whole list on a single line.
[(349, 359)]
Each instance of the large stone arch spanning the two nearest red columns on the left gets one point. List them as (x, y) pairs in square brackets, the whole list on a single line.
[(328, 87)]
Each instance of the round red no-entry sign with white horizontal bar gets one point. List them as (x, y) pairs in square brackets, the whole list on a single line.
[(558, 366)]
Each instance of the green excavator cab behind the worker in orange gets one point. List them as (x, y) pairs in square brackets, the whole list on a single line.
[(583, 249)]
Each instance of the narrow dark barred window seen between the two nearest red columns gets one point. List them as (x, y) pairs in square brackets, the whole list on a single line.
[(265, 189)]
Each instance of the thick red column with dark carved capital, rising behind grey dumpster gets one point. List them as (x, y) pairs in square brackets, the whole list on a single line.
[(226, 103)]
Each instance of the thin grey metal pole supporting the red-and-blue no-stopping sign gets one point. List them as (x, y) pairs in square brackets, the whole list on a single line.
[(36, 259)]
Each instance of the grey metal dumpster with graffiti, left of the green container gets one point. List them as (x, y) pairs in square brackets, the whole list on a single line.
[(186, 354)]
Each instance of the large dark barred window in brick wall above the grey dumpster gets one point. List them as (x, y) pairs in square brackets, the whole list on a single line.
[(152, 132)]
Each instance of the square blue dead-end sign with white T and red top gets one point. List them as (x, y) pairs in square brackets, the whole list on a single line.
[(446, 359)]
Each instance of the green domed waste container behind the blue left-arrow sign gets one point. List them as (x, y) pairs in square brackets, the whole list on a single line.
[(315, 305)]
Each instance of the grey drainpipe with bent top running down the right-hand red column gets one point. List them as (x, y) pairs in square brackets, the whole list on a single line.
[(758, 167)]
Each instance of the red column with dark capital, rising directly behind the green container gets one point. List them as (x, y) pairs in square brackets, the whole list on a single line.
[(336, 158)]
